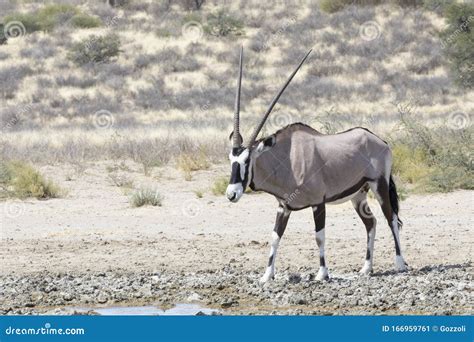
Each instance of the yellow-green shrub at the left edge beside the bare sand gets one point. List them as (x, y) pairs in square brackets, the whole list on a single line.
[(18, 179)]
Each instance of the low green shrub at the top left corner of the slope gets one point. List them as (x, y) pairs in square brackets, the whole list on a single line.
[(51, 16)]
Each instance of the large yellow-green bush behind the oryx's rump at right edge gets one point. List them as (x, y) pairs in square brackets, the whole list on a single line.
[(434, 159)]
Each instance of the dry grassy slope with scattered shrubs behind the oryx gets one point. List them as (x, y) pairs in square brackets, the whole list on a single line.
[(154, 83)]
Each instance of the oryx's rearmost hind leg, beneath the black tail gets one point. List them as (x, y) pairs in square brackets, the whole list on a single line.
[(381, 191)]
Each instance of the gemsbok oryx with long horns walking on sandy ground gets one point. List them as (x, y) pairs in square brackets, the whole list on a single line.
[(303, 168)]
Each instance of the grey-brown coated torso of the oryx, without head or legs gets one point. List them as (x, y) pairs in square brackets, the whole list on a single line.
[(306, 168)]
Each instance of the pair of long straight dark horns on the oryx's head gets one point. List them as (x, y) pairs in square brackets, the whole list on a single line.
[(253, 137)]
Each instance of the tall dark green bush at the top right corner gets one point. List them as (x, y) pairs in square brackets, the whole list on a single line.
[(458, 42)]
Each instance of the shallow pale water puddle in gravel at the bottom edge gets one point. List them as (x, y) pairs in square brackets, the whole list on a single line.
[(177, 310)]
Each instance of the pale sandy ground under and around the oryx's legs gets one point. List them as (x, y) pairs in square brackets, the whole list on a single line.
[(94, 231)]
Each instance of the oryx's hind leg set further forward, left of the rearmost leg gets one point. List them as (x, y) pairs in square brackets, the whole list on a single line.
[(362, 208)]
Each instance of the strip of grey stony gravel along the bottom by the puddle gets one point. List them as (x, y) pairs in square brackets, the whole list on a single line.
[(438, 290)]
